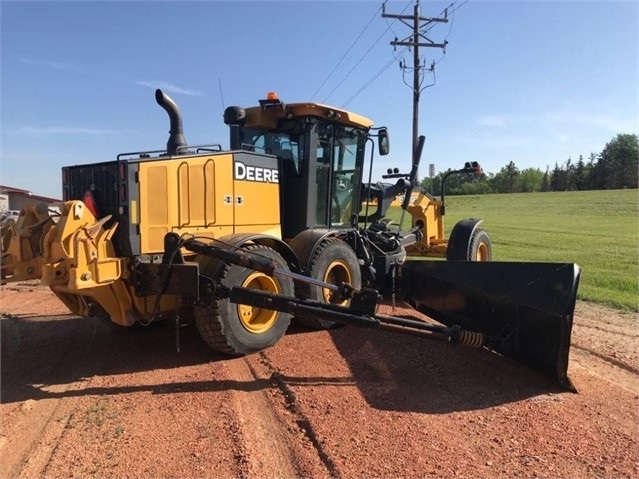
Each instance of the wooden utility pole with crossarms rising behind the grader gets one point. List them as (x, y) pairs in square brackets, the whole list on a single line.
[(415, 40)]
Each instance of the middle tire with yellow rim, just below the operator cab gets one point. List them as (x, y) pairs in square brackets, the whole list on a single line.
[(333, 262)]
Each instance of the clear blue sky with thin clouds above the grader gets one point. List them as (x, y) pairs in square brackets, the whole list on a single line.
[(534, 82)]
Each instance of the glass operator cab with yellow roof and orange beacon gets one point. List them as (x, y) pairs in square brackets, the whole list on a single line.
[(320, 151)]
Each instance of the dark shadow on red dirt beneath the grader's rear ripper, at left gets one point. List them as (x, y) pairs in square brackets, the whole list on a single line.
[(41, 352)]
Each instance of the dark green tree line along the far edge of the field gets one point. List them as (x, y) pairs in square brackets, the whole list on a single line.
[(615, 167)]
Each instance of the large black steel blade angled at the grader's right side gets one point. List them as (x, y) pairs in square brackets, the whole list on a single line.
[(524, 310)]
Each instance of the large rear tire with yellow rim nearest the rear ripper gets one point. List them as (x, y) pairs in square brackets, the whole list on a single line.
[(237, 329)]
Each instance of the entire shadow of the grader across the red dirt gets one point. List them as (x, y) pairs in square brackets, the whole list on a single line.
[(392, 371)]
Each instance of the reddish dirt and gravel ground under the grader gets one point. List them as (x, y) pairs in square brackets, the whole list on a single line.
[(81, 398)]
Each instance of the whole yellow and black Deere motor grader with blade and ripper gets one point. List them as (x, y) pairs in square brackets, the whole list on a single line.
[(283, 225)]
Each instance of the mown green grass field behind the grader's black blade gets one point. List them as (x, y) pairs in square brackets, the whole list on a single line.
[(598, 230)]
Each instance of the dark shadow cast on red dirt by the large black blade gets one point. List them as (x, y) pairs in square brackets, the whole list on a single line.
[(407, 373)]
